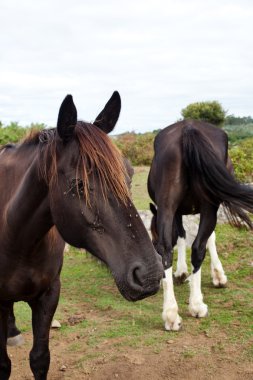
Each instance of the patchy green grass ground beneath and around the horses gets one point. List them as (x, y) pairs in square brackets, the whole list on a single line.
[(97, 322)]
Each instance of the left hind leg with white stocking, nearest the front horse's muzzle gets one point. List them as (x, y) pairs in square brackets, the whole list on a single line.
[(171, 318)]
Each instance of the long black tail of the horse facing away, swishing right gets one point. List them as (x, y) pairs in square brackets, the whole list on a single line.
[(209, 177)]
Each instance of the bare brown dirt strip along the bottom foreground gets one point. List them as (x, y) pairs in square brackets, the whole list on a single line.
[(188, 357)]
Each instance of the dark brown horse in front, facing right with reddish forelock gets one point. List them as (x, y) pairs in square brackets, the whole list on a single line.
[(66, 184)]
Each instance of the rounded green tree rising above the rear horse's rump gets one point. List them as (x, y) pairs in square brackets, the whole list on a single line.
[(211, 112)]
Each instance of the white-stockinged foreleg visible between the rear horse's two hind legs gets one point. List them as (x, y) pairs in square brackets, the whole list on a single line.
[(182, 271)]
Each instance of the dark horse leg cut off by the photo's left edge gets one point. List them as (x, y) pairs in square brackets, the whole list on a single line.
[(5, 363)]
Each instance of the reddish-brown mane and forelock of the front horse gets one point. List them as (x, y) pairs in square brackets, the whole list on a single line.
[(97, 155)]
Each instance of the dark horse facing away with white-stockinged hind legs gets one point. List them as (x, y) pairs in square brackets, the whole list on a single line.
[(190, 174)]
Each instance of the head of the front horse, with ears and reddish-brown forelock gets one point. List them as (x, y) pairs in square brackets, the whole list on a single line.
[(90, 202)]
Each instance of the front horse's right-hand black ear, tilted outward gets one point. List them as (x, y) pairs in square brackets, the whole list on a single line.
[(107, 118)]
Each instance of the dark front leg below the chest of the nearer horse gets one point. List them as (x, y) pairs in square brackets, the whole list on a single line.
[(43, 309)]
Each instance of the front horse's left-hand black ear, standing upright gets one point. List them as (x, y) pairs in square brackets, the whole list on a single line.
[(67, 119)]
